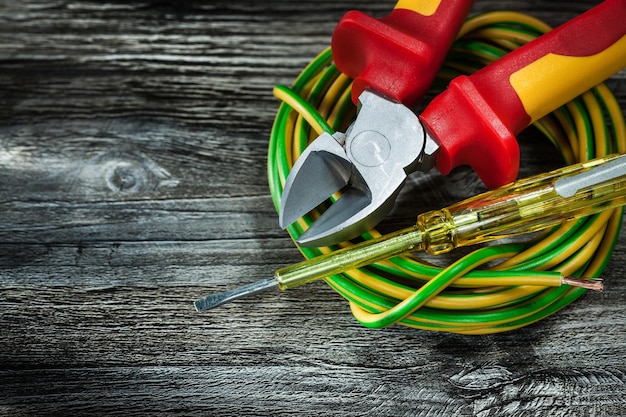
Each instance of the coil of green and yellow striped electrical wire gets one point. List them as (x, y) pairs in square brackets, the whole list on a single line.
[(493, 288)]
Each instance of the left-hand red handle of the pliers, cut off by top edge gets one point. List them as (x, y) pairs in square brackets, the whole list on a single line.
[(399, 55)]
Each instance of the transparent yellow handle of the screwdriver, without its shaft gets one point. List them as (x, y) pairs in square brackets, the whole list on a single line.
[(528, 205)]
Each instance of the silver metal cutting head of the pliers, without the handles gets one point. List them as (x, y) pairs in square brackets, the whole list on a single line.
[(369, 164)]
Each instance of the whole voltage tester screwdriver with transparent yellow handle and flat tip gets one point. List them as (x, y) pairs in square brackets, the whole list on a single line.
[(528, 205)]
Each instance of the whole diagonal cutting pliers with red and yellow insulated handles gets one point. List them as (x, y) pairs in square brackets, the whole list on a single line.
[(473, 122)]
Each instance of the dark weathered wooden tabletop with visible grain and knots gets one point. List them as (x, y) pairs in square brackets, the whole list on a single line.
[(133, 141)]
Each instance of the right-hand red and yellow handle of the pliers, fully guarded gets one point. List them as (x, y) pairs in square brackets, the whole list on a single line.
[(477, 118)]
